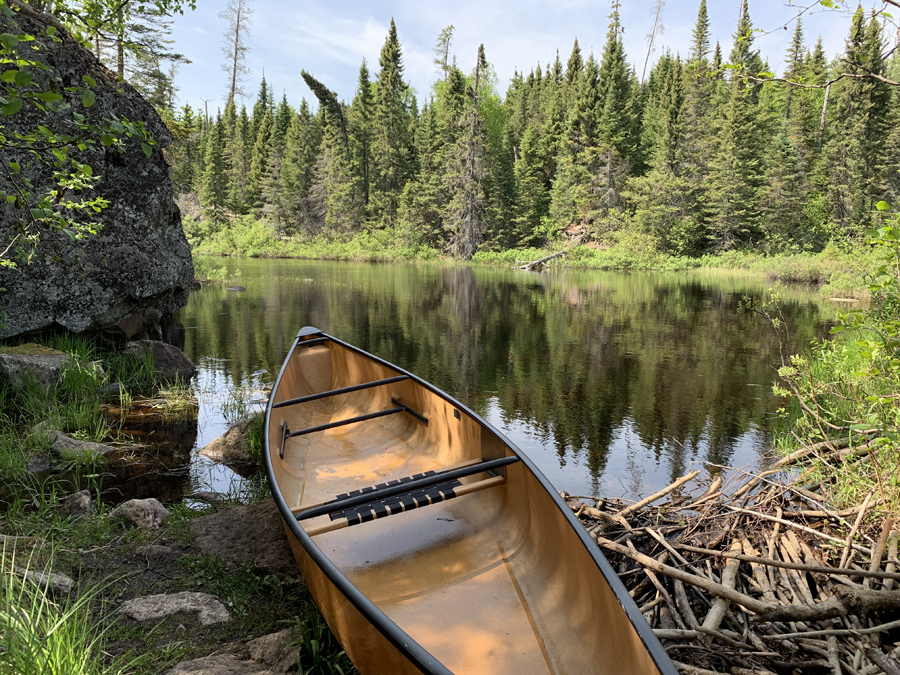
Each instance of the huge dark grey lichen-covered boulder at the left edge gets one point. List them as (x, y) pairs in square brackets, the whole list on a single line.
[(137, 268)]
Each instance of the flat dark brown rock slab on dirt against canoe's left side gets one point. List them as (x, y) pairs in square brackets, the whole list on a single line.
[(245, 535)]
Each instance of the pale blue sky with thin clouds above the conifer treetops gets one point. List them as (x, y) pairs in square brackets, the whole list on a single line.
[(330, 39)]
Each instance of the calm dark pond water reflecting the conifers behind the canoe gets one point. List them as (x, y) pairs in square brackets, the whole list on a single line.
[(615, 384)]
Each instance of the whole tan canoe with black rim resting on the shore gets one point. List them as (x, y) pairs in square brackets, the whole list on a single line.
[(429, 542)]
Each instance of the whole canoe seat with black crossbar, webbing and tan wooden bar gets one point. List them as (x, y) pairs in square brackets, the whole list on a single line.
[(403, 494)]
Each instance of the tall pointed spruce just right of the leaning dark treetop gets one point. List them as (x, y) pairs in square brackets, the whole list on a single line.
[(390, 134)]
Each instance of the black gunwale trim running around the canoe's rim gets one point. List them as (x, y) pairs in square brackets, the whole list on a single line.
[(417, 654)]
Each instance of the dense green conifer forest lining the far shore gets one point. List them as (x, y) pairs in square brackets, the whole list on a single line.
[(711, 153)]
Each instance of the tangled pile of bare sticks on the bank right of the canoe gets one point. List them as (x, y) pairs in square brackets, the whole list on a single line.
[(763, 579)]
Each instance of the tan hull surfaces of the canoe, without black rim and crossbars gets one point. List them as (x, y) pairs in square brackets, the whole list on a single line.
[(492, 583)]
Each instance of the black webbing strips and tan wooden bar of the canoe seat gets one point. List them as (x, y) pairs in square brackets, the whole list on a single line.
[(405, 502)]
